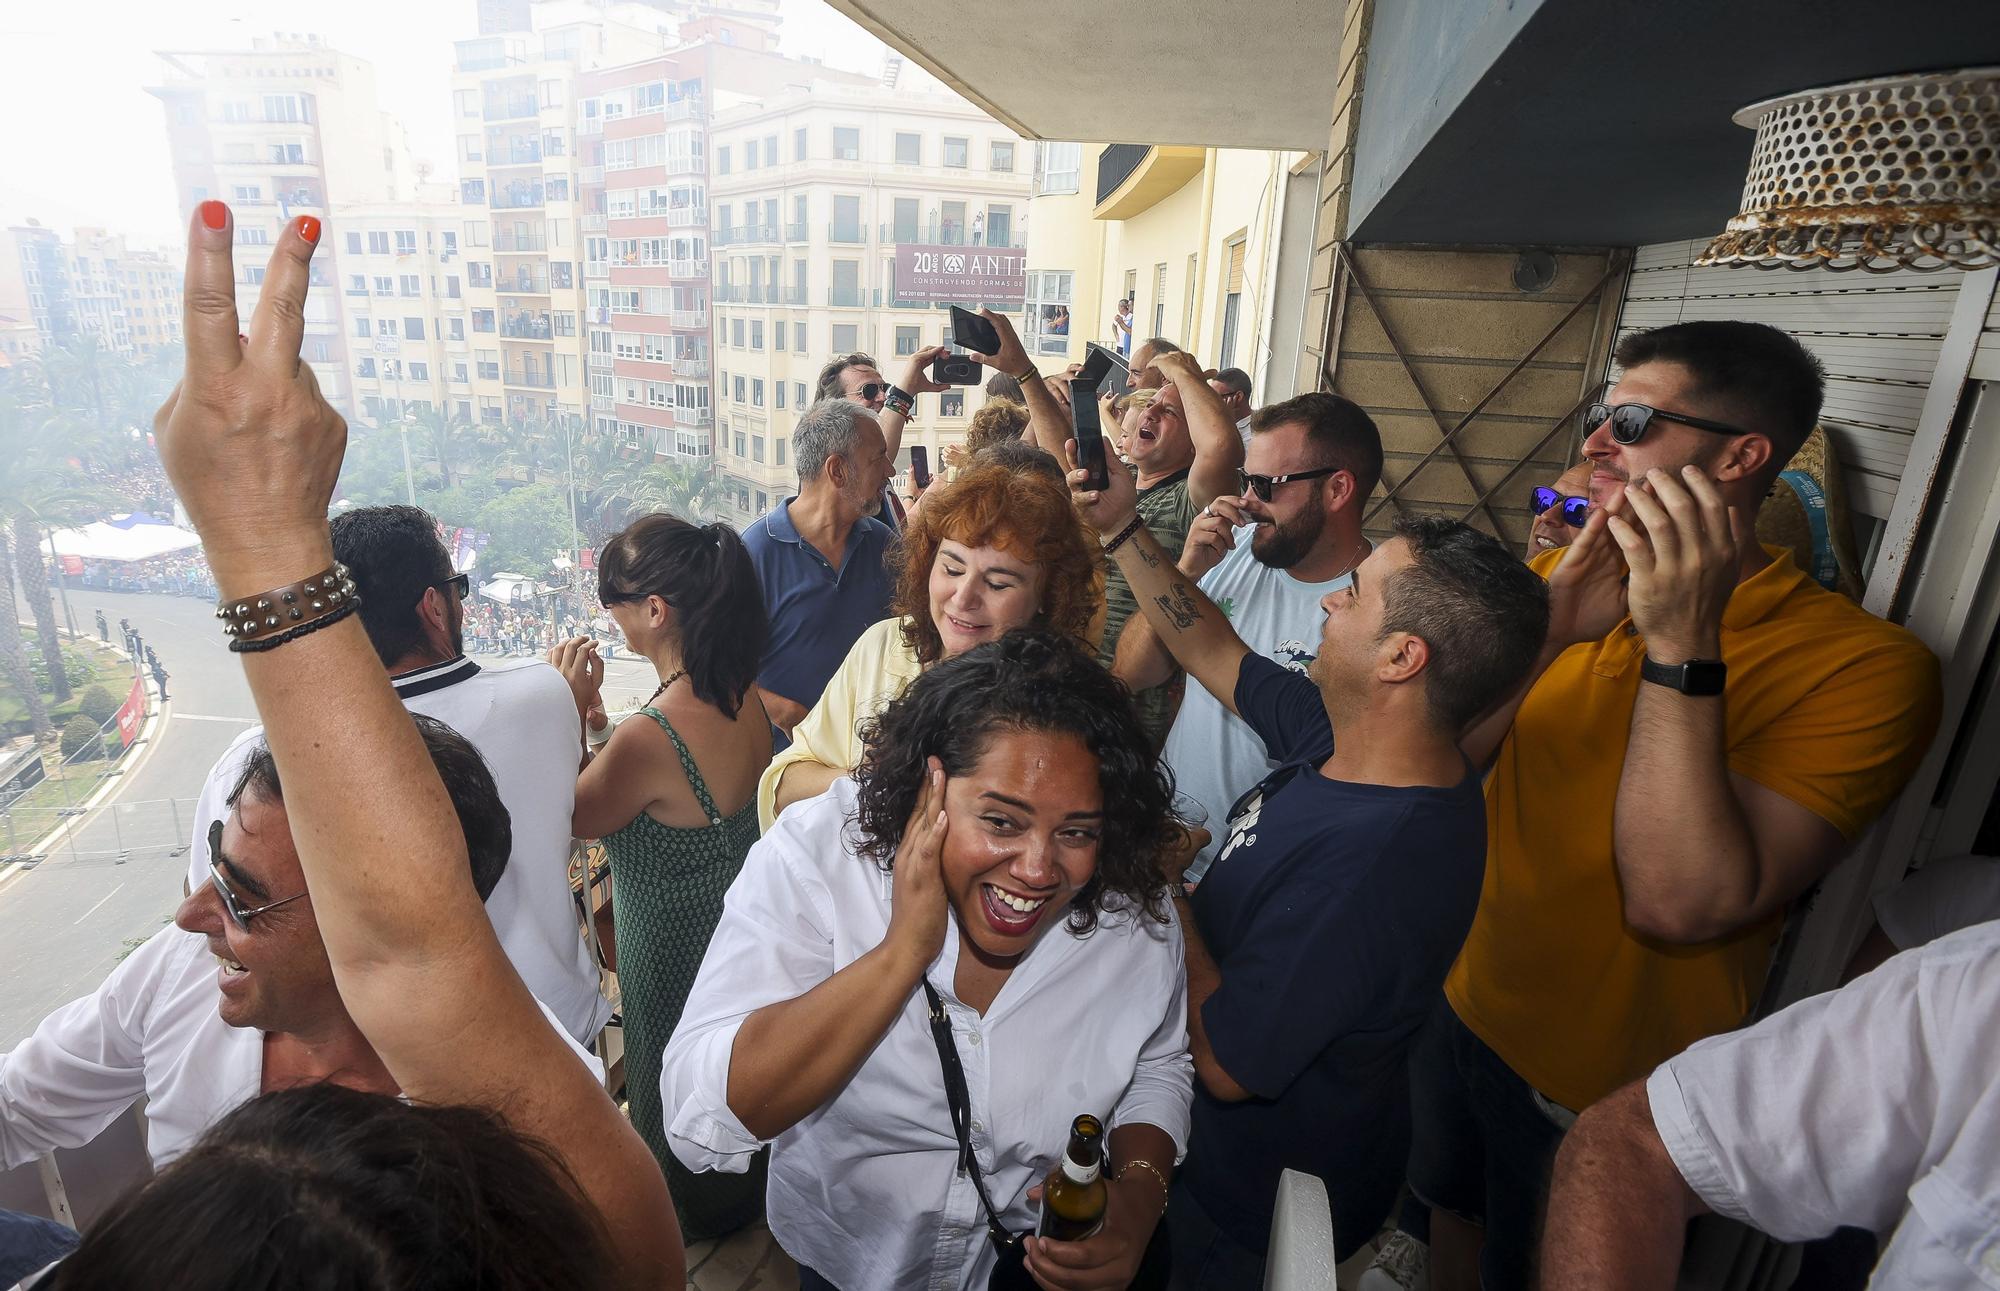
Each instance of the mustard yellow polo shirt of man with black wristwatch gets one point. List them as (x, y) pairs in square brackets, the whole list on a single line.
[(1825, 704)]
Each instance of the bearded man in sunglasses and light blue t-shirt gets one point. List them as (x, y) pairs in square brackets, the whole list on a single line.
[(1267, 559)]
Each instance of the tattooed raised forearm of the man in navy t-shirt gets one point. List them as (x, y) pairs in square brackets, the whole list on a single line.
[(1187, 623)]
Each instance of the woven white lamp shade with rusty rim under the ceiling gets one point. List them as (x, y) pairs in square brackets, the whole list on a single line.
[(1899, 173)]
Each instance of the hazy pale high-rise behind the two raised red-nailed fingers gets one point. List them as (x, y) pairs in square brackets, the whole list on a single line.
[(277, 131)]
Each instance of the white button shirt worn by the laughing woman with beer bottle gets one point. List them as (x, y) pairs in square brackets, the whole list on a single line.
[(867, 1190)]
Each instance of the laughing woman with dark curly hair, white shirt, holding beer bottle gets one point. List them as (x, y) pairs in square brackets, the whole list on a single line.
[(995, 864)]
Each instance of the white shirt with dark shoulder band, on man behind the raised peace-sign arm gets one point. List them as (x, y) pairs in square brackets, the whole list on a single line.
[(523, 720)]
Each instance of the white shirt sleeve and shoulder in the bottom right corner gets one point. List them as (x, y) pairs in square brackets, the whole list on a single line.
[(1875, 1106)]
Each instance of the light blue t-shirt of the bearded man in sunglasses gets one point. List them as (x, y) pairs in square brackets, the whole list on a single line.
[(1213, 754)]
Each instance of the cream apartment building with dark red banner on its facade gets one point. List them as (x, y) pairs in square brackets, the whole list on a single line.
[(813, 195)]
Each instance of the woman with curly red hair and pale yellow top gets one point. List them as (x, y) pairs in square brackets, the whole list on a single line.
[(989, 553)]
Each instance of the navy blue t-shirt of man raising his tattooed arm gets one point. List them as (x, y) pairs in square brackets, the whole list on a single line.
[(1333, 912)]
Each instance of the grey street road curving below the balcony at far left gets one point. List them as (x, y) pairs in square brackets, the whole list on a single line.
[(67, 922)]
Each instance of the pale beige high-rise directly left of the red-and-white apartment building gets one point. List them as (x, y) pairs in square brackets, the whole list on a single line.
[(515, 101)]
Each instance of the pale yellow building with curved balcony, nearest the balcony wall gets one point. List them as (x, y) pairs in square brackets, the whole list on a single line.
[(1195, 239)]
